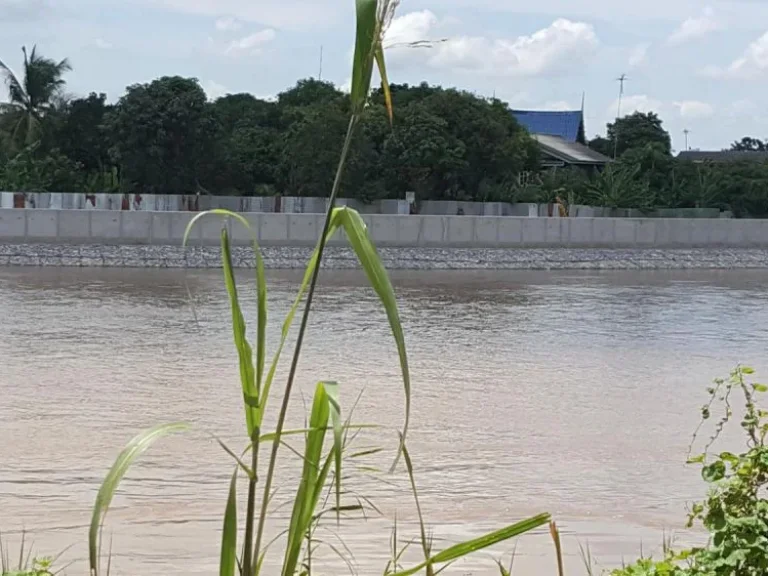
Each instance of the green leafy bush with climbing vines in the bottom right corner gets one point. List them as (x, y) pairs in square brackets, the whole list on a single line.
[(735, 512)]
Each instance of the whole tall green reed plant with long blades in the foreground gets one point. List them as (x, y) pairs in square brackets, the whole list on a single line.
[(373, 18)]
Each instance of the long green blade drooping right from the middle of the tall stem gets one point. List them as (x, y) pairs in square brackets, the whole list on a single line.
[(357, 234)]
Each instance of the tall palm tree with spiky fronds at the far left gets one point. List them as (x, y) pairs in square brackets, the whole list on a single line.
[(33, 98)]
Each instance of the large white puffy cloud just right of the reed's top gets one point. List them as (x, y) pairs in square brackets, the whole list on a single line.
[(550, 50)]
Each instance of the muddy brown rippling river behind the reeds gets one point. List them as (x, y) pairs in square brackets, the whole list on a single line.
[(572, 393)]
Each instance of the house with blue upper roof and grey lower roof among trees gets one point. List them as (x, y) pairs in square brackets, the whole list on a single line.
[(561, 138)]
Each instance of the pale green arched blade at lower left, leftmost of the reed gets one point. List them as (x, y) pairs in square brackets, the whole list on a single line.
[(128, 456)]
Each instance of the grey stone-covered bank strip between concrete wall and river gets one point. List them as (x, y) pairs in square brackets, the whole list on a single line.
[(135, 256)]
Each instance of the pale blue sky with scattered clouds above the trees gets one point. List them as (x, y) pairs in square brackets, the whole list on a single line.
[(701, 65)]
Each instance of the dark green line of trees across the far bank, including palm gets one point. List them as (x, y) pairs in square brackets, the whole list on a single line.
[(167, 137)]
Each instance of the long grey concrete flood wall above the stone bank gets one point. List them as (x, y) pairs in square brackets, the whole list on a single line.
[(167, 228)]
